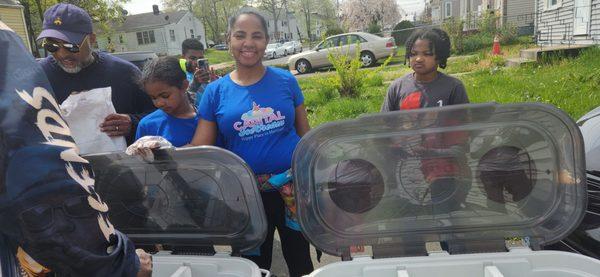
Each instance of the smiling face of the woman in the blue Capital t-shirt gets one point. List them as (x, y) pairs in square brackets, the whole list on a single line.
[(248, 41)]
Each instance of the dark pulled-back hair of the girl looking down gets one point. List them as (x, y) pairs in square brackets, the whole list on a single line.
[(165, 69)]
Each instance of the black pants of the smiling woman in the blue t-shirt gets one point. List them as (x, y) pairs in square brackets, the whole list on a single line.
[(295, 248)]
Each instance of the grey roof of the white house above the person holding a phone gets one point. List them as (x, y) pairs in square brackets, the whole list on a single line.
[(145, 20)]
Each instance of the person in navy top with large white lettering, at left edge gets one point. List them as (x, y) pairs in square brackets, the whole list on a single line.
[(51, 216)]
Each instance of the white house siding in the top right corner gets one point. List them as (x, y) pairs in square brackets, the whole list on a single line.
[(556, 26)]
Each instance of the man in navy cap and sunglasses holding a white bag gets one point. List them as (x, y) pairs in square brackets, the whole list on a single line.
[(74, 67)]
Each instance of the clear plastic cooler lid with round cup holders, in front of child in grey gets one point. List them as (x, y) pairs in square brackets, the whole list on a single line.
[(467, 173)]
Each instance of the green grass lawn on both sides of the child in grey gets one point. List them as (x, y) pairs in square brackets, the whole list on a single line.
[(571, 84)]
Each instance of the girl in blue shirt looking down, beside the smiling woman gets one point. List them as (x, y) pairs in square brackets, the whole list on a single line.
[(176, 118)]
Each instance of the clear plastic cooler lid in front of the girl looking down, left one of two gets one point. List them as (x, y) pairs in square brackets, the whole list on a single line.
[(198, 196)]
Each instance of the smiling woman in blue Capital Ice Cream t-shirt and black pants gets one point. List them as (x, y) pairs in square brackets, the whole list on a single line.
[(257, 112)]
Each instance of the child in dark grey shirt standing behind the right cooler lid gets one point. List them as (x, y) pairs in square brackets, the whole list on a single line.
[(441, 154)]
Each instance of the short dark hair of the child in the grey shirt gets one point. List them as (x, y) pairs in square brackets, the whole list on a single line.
[(439, 43)]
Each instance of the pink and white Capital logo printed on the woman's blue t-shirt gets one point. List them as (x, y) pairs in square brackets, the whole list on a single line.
[(259, 121)]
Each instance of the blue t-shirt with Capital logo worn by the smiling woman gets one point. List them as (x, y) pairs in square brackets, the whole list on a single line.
[(256, 122)]
